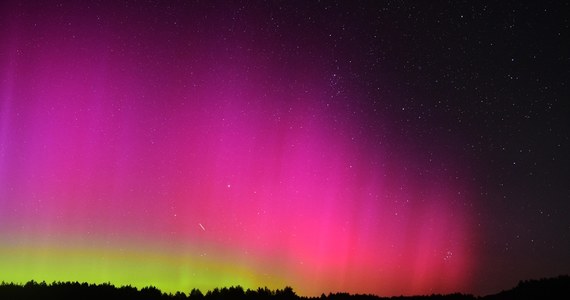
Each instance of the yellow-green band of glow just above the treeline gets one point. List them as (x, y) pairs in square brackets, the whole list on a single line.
[(162, 266)]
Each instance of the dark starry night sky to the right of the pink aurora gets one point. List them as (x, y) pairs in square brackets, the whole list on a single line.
[(487, 82)]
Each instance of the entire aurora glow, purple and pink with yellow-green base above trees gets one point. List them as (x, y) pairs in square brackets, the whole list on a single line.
[(179, 167)]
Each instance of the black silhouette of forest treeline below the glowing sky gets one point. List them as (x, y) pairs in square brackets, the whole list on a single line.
[(547, 288)]
